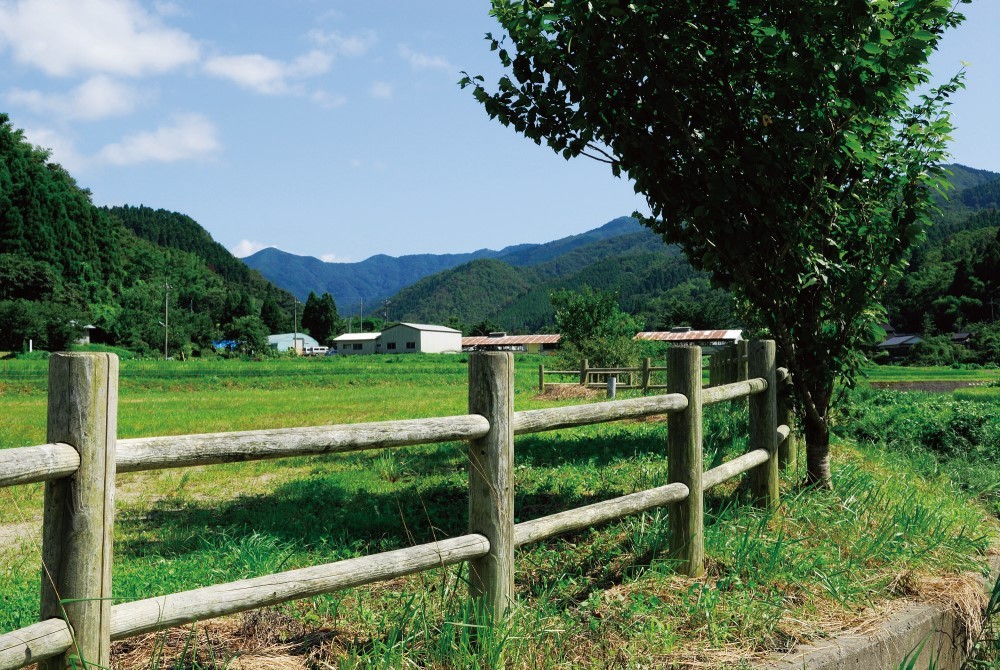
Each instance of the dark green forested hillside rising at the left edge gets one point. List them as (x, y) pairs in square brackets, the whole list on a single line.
[(65, 263)]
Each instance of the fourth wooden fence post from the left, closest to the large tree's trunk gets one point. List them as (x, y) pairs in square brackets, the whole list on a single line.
[(764, 424)]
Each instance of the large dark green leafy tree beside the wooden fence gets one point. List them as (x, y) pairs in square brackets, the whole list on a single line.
[(780, 143)]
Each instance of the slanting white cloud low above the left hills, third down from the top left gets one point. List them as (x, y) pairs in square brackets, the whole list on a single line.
[(190, 136)]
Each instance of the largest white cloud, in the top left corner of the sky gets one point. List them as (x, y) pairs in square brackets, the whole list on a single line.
[(67, 37)]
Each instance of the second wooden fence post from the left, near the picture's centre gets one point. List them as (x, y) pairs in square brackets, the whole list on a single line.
[(491, 480)]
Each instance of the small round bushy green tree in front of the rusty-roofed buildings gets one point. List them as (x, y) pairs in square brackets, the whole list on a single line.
[(595, 328)]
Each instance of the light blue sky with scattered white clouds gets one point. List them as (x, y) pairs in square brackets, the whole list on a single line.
[(333, 129)]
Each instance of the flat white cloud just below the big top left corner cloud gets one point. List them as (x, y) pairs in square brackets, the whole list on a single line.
[(99, 97)]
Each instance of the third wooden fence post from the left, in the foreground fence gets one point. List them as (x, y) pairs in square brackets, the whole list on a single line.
[(685, 460)]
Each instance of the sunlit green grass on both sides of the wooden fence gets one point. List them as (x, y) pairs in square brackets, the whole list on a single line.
[(601, 598)]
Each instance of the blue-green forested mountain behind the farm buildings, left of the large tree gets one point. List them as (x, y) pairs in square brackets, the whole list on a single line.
[(621, 257)]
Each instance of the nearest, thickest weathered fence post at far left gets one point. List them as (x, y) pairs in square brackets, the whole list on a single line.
[(78, 518)]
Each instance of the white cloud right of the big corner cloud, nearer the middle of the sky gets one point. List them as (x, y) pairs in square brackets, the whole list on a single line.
[(266, 75)]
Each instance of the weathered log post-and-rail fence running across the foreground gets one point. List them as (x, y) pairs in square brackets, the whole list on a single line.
[(82, 456)]
